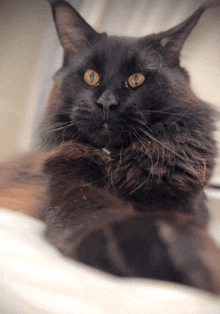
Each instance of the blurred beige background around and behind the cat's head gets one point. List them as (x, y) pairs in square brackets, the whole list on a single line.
[(31, 53)]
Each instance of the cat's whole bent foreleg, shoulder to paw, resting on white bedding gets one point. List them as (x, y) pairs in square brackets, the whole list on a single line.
[(89, 224)]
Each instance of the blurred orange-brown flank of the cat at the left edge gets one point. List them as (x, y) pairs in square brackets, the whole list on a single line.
[(23, 185)]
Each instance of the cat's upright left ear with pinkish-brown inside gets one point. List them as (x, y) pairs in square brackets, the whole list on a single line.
[(73, 31)]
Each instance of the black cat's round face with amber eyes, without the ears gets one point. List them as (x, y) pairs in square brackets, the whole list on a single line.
[(112, 90)]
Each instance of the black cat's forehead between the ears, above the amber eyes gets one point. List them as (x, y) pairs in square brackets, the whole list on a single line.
[(116, 52)]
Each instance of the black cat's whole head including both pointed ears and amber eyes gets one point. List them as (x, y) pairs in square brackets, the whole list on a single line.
[(112, 91)]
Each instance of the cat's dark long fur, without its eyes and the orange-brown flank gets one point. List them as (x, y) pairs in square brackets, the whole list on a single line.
[(125, 168)]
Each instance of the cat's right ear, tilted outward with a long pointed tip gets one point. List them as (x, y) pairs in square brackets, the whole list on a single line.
[(173, 39)]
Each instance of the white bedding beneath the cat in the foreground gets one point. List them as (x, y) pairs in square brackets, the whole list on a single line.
[(36, 279)]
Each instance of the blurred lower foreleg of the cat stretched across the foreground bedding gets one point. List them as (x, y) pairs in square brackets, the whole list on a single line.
[(160, 248)]
